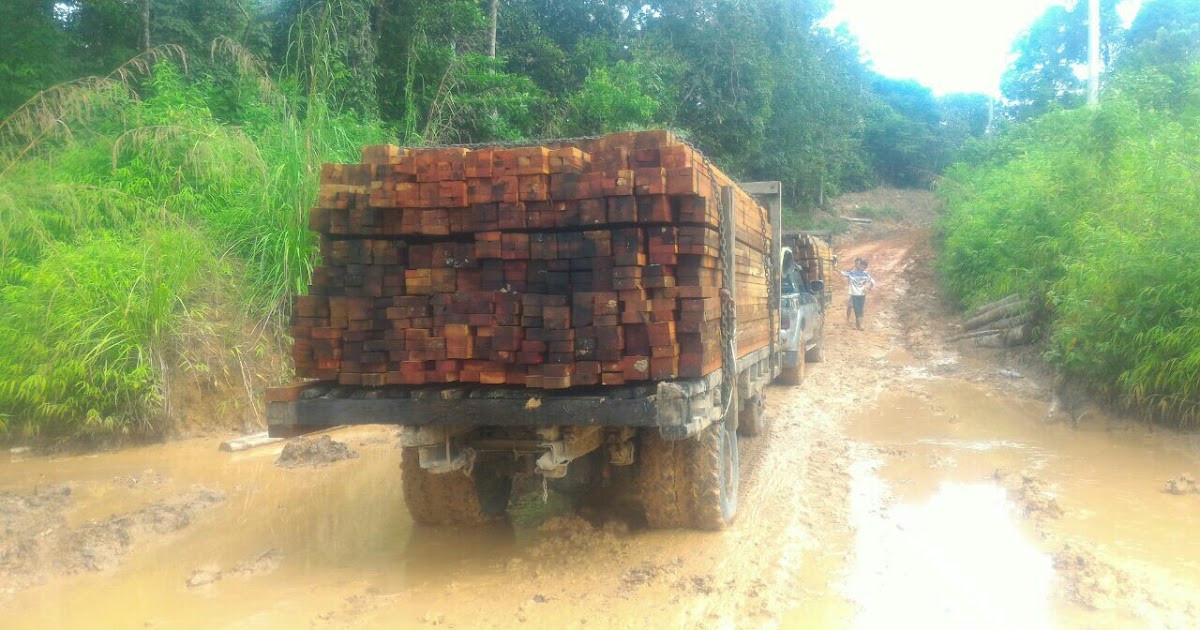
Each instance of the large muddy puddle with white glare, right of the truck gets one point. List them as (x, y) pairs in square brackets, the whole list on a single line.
[(963, 501)]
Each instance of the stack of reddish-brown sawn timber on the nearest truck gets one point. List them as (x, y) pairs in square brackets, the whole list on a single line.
[(578, 263)]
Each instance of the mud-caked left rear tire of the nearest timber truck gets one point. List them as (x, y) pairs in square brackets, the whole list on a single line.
[(453, 499)]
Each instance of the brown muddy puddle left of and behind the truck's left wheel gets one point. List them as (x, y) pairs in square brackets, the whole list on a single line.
[(284, 548)]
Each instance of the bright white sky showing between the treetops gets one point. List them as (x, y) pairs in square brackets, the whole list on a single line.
[(951, 46)]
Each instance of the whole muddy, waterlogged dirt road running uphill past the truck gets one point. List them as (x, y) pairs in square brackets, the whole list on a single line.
[(907, 481)]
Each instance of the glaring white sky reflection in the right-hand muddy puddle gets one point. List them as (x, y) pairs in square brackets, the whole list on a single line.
[(957, 560)]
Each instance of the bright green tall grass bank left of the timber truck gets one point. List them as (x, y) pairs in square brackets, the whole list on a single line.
[(141, 229)]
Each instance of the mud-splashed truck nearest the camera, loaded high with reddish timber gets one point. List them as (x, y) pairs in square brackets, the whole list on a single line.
[(587, 310)]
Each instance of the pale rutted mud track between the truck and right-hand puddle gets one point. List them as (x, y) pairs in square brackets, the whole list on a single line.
[(794, 533)]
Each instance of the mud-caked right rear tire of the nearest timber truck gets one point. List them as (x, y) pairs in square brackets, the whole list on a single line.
[(691, 483)]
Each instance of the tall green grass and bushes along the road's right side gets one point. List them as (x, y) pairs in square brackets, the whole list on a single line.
[(1094, 214)]
